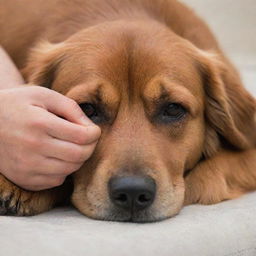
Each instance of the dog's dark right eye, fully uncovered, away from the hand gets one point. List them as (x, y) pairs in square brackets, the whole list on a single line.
[(172, 112)]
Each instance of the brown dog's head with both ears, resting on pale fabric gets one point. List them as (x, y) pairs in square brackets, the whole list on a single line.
[(162, 105)]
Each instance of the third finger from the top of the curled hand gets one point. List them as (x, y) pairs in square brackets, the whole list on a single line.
[(67, 151)]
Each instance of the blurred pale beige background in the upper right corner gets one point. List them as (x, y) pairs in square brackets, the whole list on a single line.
[(234, 24)]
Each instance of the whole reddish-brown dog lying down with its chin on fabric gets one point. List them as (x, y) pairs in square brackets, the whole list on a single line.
[(177, 125)]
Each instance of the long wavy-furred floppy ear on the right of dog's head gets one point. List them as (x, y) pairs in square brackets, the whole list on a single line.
[(229, 109)]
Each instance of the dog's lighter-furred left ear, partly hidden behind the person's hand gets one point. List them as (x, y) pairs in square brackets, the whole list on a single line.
[(41, 68)]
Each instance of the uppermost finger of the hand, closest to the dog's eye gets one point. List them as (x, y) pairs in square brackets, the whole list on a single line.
[(61, 105)]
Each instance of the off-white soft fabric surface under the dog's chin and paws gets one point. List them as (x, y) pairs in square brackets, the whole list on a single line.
[(224, 229)]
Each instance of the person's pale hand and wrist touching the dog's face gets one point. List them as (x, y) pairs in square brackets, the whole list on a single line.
[(38, 148)]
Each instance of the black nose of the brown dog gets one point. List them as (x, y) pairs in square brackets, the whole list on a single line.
[(132, 193)]
